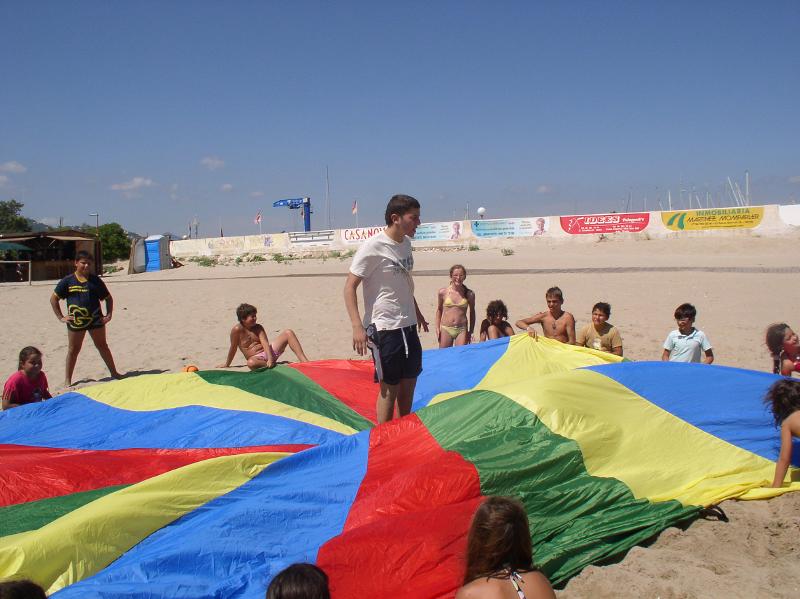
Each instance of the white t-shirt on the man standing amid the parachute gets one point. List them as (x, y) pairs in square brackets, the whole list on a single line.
[(385, 267)]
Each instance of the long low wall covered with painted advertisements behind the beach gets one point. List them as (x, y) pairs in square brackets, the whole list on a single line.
[(770, 220)]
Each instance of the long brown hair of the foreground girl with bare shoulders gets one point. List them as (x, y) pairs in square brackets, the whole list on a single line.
[(499, 539)]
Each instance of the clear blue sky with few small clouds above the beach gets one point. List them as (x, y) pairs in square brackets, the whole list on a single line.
[(153, 112)]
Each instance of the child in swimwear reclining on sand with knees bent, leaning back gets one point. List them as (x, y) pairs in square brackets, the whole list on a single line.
[(251, 338)]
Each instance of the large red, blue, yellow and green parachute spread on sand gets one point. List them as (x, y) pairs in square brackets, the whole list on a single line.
[(207, 484)]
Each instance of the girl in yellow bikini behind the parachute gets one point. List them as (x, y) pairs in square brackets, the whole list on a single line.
[(453, 327)]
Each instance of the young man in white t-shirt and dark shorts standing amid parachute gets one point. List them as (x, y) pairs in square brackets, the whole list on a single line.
[(391, 315)]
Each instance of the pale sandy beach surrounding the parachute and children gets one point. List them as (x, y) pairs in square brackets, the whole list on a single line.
[(166, 320)]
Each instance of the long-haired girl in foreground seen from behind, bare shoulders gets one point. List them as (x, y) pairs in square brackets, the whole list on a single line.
[(500, 556)]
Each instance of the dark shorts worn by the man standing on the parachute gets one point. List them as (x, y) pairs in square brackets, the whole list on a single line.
[(397, 354)]
